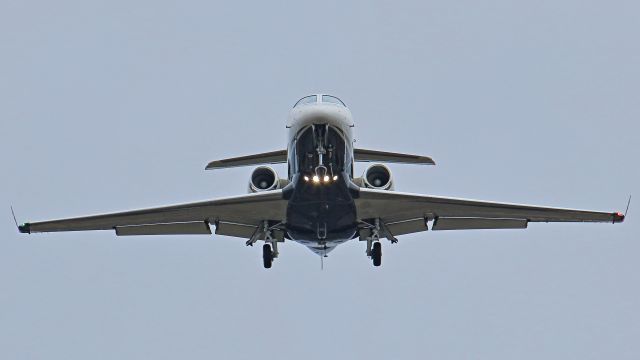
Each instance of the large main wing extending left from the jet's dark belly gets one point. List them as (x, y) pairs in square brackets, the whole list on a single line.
[(232, 215)]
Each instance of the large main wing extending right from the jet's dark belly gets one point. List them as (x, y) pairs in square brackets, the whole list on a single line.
[(409, 212)]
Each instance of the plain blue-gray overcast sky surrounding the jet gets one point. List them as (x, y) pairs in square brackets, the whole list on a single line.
[(117, 105)]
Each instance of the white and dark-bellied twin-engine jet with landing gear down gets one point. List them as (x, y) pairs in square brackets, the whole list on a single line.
[(321, 204)]
